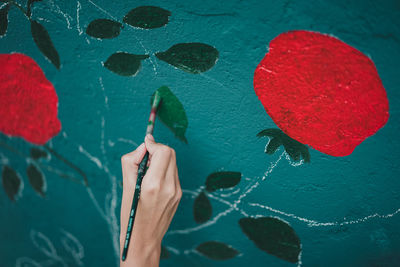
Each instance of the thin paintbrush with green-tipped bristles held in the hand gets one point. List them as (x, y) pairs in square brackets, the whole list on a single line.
[(141, 172)]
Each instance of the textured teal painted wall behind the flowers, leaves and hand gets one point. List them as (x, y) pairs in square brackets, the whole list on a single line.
[(344, 210)]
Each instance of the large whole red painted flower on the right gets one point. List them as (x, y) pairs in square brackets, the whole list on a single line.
[(321, 91)]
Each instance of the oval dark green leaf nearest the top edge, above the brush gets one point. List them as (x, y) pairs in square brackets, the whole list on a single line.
[(147, 17)]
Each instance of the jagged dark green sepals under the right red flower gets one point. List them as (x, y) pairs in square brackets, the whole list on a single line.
[(293, 148)]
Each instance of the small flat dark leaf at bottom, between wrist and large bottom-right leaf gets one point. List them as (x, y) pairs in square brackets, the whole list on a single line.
[(216, 250)]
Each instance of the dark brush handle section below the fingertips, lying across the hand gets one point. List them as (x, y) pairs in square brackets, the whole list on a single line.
[(136, 196)]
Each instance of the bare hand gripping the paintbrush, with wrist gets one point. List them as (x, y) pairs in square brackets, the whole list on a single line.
[(159, 199)]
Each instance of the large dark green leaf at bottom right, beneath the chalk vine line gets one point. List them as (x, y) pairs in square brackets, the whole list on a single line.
[(274, 236)]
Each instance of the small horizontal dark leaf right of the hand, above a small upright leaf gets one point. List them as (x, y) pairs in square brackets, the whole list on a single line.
[(218, 180)]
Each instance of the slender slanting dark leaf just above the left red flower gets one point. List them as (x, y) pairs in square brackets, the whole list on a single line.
[(44, 43)]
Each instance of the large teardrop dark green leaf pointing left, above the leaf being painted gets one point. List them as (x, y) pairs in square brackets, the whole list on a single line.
[(190, 57)]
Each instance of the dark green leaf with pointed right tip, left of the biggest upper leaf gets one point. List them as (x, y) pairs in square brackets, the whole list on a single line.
[(124, 64)]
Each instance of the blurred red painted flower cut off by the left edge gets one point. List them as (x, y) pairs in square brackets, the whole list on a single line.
[(28, 101)]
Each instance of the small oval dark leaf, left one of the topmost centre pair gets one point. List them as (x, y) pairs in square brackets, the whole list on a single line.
[(104, 28)]
